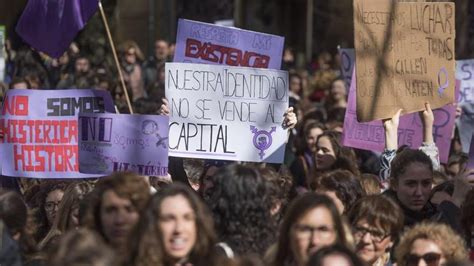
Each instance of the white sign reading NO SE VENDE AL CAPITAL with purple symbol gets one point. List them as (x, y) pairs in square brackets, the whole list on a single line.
[(228, 113)]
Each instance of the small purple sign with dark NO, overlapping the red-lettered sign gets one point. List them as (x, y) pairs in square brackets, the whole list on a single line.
[(116, 142)]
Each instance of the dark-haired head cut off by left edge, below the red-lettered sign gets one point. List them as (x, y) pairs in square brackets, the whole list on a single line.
[(13, 212)]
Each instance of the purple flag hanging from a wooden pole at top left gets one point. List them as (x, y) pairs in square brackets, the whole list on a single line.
[(51, 25)]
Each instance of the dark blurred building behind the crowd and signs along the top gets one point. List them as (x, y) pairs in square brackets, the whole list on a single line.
[(309, 26)]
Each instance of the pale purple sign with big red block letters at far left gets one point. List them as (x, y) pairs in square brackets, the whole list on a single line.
[(39, 129)]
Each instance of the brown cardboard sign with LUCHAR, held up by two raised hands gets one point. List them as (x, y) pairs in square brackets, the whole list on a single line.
[(405, 56)]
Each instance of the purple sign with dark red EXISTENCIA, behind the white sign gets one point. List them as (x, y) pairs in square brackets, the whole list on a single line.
[(205, 43)]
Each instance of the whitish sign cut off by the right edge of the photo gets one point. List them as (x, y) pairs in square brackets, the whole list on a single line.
[(465, 124)]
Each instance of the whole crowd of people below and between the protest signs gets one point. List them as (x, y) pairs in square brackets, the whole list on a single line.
[(327, 204)]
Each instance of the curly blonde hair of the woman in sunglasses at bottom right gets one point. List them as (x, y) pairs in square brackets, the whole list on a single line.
[(450, 243)]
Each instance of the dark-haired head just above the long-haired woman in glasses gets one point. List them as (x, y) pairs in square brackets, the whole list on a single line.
[(342, 187)]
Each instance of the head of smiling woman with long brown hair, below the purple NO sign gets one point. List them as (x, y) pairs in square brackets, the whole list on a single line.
[(175, 227)]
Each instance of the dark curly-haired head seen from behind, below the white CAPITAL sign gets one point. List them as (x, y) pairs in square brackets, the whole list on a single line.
[(241, 202)]
